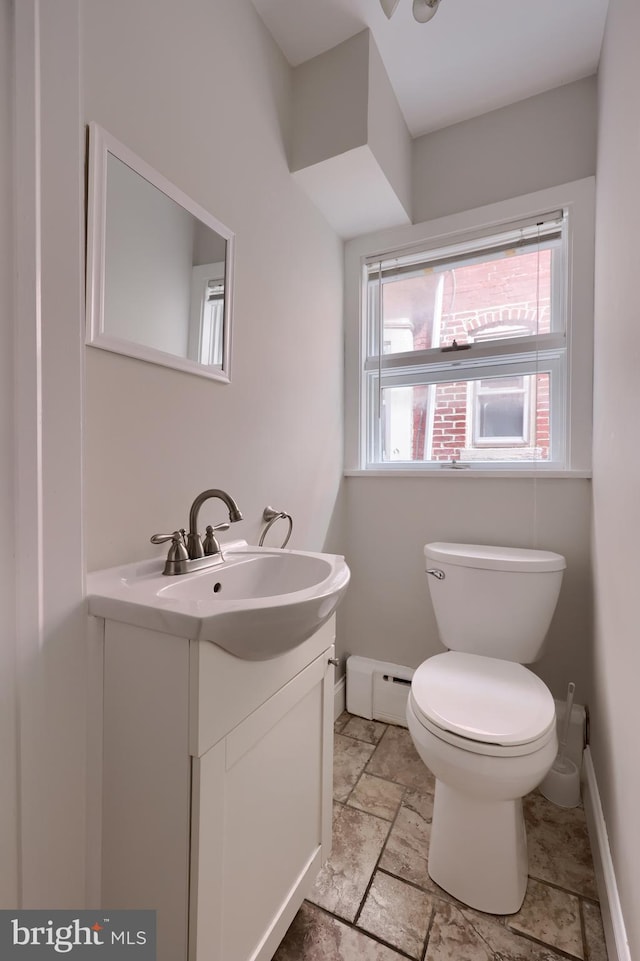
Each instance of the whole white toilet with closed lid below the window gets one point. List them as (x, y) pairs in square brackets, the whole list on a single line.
[(481, 722)]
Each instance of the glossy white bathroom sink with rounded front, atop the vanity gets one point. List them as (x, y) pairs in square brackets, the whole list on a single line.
[(257, 604)]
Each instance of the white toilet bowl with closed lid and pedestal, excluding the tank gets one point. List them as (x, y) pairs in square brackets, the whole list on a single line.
[(478, 842)]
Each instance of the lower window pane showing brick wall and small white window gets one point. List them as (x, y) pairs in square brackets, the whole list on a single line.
[(495, 420)]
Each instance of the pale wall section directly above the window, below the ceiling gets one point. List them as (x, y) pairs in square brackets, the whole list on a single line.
[(536, 143)]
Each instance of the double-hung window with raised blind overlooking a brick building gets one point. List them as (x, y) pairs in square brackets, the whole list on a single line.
[(465, 351)]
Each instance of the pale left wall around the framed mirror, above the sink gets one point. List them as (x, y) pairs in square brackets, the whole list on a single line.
[(202, 94)]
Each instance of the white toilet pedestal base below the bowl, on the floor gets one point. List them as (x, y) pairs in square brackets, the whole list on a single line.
[(478, 850)]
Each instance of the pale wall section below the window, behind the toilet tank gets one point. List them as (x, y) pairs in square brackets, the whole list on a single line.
[(387, 612)]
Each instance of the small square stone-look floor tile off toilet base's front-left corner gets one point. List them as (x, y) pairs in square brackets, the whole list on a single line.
[(397, 913)]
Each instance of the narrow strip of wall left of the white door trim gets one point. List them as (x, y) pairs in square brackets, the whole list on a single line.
[(8, 783)]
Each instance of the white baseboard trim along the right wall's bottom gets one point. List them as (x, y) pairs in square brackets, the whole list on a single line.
[(612, 918)]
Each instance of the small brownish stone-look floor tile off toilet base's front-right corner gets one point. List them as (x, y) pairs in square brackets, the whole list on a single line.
[(551, 916)]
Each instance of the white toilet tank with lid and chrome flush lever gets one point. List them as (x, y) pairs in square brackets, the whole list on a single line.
[(495, 601)]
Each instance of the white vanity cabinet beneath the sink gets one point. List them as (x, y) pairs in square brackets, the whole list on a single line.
[(216, 794)]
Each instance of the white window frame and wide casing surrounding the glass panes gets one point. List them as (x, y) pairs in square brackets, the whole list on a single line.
[(576, 200)]
